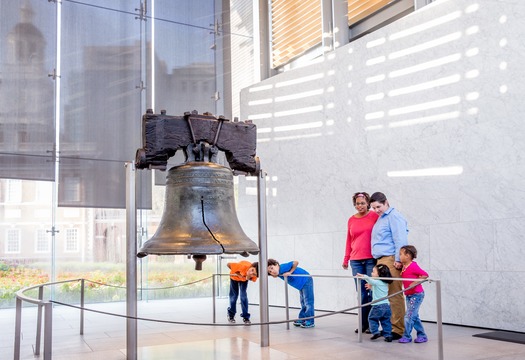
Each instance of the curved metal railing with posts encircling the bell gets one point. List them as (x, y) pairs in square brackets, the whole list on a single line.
[(46, 307)]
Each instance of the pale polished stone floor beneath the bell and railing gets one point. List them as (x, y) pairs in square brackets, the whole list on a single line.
[(333, 337)]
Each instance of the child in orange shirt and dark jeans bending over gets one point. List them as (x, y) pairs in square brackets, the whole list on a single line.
[(240, 273)]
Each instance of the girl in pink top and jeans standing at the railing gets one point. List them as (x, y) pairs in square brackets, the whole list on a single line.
[(414, 296)]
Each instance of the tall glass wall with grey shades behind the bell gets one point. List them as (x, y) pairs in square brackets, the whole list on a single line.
[(75, 79)]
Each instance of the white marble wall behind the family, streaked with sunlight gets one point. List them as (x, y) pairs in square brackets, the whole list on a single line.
[(439, 89)]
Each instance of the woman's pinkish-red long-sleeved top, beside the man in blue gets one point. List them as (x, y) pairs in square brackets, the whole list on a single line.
[(359, 237)]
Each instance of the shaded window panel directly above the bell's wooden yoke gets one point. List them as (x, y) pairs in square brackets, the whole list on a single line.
[(184, 65)]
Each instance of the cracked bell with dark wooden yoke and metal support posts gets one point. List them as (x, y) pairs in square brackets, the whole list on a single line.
[(199, 216)]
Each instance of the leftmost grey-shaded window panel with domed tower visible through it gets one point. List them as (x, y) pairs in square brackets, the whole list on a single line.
[(27, 48)]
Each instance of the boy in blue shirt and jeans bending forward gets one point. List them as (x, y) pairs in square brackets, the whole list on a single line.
[(304, 284)]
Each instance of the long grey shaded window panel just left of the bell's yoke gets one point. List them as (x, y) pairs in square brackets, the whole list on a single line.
[(101, 102)]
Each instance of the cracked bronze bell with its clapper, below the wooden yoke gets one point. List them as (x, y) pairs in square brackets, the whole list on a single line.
[(199, 215)]
